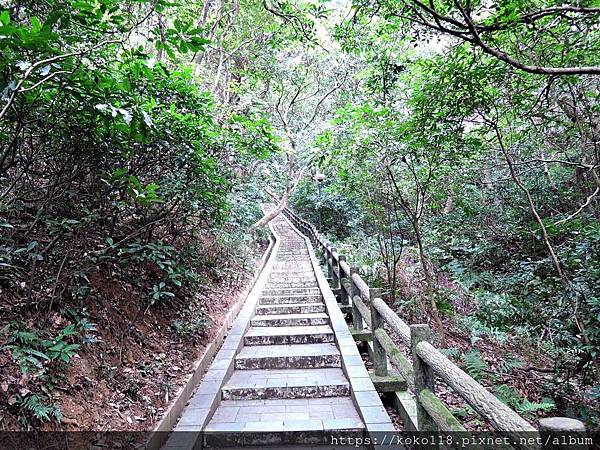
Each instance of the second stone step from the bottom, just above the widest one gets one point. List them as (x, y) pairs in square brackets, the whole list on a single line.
[(286, 383)]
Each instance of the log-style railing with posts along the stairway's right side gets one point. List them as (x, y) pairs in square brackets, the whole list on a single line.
[(371, 320)]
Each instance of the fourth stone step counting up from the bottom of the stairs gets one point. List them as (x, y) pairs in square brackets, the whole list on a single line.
[(289, 335)]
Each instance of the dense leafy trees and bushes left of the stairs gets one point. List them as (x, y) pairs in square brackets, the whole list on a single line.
[(114, 158)]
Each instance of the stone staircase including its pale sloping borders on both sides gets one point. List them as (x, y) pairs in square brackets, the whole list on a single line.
[(289, 373)]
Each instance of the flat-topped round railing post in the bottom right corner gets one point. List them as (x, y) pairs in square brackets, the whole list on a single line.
[(556, 431)]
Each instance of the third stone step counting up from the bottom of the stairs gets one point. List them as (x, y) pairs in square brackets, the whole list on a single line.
[(300, 356)]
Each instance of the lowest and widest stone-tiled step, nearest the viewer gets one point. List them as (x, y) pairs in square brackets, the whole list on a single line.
[(283, 422)]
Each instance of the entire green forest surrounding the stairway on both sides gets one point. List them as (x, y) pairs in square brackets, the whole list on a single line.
[(450, 148)]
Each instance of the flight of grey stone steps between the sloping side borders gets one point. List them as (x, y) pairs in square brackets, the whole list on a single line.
[(287, 386)]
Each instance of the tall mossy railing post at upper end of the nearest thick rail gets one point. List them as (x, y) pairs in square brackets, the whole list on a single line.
[(424, 376)]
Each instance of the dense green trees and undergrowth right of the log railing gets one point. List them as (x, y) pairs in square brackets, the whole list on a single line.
[(469, 154)]
